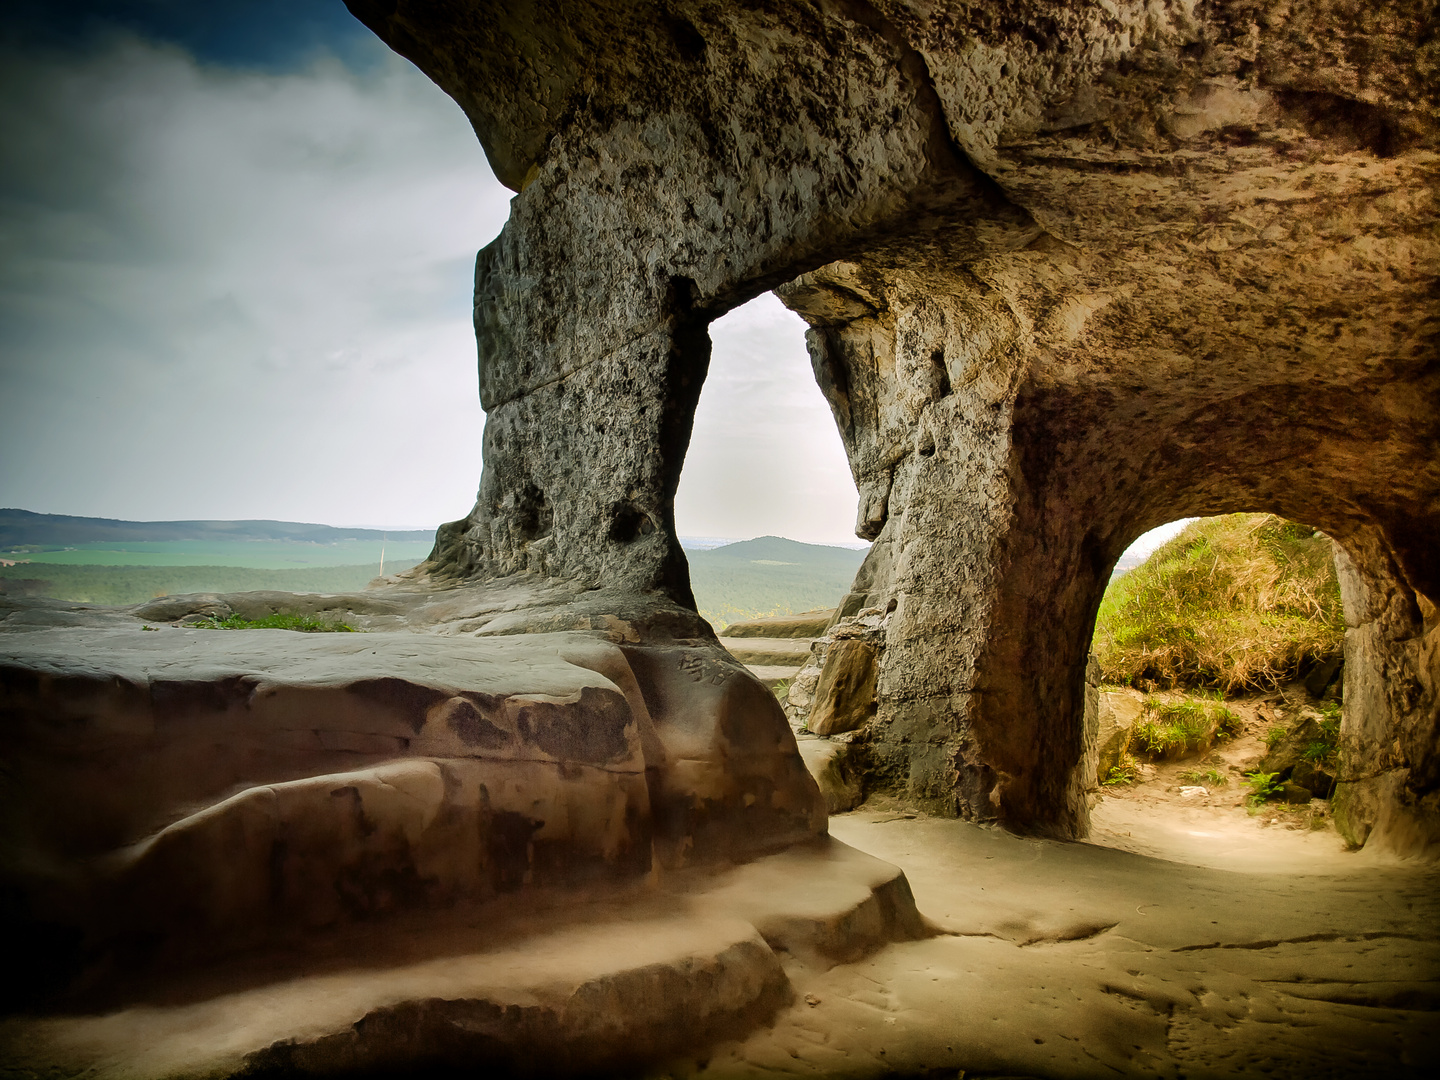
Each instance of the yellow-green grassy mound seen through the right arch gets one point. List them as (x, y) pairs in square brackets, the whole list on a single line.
[(1236, 603)]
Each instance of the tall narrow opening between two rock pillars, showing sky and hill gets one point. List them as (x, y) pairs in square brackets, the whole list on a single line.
[(767, 503)]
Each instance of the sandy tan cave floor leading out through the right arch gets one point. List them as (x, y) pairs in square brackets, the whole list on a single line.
[(1189, 938)]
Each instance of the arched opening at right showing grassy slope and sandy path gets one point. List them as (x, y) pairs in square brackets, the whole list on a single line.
[(1219, 653)]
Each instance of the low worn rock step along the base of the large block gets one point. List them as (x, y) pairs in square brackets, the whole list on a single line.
[(552, 984)]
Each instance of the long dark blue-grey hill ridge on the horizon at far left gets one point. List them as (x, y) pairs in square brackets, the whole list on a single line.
[(24, 528)]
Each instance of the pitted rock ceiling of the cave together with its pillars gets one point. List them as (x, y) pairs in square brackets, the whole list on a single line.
[(1074, 270)]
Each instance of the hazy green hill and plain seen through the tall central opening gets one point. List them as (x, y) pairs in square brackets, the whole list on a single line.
[(770, 575)]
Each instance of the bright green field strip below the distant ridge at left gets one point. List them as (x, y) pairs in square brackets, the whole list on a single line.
[(261, 555)]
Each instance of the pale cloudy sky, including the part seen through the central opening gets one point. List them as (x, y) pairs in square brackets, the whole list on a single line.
[(237, 243)]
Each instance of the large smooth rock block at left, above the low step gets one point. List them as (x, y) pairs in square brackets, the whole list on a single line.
[(182, 794)]
